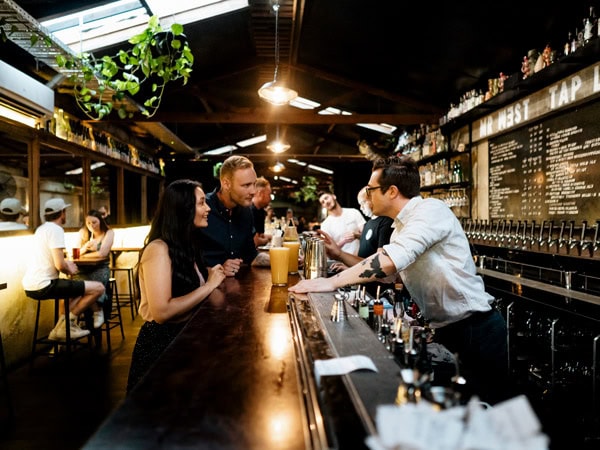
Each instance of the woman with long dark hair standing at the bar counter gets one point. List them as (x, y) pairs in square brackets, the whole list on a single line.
[(167, 302)]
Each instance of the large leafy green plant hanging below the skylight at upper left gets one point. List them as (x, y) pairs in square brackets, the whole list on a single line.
[(155, 58)]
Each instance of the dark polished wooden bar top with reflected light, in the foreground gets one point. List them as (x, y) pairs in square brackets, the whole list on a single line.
[(228, 381)]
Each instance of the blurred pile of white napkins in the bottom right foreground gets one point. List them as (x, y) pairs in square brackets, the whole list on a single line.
[(508, 425)]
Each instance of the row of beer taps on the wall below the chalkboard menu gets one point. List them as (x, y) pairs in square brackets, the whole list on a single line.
[(565, 237)]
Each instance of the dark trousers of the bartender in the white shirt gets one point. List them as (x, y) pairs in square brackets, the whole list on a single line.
[(481, 343)]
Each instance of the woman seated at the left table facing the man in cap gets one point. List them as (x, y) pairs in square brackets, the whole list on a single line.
[(95, 241)]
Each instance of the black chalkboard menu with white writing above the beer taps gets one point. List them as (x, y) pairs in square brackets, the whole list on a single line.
[(549, 170)]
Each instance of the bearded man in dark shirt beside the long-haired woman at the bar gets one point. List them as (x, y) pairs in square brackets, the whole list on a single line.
[(229, 237)]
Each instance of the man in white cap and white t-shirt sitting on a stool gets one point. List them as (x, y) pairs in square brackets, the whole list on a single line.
[(42, 277)]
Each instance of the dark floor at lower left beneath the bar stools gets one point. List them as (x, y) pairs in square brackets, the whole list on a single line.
[(61, 403)]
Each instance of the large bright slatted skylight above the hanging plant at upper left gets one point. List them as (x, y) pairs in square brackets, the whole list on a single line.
[(115, 22)]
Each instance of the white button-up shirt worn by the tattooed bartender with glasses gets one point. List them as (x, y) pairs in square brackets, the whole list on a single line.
[(431, 252)]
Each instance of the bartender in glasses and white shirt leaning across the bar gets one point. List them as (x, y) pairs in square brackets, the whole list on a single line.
[(430, 251)]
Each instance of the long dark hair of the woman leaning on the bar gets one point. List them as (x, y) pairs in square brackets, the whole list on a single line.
[(173, 222)]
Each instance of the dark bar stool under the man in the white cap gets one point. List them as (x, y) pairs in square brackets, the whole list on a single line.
[(51, 347)]
